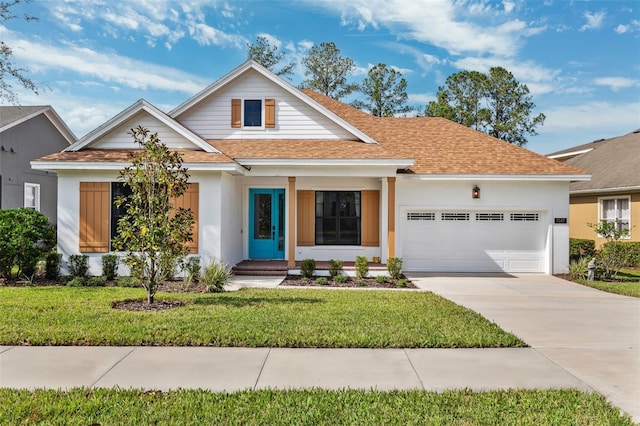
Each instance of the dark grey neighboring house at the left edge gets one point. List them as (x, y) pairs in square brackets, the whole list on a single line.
[(26, 133)]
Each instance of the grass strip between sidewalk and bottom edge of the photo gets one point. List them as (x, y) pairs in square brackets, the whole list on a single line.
[(307, 407)]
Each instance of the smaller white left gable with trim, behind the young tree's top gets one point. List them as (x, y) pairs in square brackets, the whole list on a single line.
[(113, 133)]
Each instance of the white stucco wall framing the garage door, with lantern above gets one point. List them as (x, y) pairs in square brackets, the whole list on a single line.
[(548, 197)]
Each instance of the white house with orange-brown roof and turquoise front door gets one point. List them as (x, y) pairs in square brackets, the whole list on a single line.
[(280, 173)]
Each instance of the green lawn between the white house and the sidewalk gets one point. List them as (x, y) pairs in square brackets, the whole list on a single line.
[(250, 318)]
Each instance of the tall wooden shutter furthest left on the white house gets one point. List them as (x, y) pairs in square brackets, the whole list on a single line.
[(95, 208)]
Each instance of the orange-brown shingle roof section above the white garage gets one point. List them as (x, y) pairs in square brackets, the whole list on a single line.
[(440, 146)]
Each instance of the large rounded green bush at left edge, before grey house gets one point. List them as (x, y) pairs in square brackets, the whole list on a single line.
[(26, 236)]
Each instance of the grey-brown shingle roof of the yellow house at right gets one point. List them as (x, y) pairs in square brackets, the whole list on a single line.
[(613, 163)]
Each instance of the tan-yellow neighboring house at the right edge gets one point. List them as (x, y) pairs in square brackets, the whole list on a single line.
[(613, 194)]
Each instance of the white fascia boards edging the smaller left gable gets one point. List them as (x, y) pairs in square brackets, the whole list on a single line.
[(141, 105)]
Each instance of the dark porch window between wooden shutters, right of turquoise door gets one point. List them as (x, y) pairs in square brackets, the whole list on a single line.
[(338, 217)]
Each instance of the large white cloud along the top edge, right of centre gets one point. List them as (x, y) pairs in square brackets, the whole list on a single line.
[(442, 23)]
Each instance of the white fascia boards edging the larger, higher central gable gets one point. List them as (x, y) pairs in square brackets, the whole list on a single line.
[(294, 91)]
